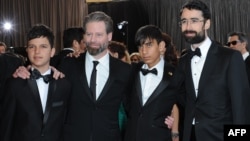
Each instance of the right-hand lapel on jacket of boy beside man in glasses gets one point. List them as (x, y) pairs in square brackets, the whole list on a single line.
[(167, 74)]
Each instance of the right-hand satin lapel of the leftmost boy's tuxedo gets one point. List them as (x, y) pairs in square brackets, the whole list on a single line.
[(51, 91)]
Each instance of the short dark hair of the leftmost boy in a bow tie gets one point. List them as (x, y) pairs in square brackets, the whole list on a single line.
[(41, 30)]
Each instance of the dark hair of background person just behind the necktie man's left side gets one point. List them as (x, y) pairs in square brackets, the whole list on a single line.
[(71, 34)]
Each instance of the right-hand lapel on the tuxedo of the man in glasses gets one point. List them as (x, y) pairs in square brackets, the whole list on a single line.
[(209, 64)]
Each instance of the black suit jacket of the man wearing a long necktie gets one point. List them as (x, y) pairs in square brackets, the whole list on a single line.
[(89, 119)]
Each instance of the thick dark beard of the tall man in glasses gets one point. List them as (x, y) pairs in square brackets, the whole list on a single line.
[(198, 38)]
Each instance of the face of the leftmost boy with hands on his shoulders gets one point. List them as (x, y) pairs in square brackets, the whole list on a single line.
[(39, 53)]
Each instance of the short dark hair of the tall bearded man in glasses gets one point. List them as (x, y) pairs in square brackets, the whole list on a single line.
[(197, 5)]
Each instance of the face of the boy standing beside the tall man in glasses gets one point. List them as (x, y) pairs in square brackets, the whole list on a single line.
[(150, 52)]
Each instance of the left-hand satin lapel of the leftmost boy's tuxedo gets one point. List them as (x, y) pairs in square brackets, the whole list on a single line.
[(34, 88)]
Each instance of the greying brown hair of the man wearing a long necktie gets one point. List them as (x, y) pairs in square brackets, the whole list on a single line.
[(99, 16)]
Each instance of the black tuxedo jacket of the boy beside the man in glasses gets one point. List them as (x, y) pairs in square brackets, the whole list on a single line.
[(146, 122)]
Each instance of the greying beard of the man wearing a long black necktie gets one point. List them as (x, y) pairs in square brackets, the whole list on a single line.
[(96, 51)]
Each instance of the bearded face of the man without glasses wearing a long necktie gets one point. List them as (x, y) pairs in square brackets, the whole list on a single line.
[(97, 39)]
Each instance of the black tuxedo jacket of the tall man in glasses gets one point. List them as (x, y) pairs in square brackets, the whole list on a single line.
[(223, 94)]
